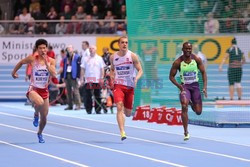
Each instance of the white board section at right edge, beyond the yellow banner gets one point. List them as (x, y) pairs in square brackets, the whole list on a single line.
[(244, 44)]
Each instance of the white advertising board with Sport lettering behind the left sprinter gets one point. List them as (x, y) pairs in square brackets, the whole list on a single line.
[(13, 49)]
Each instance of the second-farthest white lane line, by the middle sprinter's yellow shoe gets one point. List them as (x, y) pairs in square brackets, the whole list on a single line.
[(140, 139)]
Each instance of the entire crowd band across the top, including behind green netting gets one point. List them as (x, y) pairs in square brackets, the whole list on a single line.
[(109, 17)]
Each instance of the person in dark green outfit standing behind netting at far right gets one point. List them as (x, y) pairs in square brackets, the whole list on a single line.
[(236, 60)]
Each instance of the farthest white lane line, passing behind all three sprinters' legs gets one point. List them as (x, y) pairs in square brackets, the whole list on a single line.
[(131, 126)]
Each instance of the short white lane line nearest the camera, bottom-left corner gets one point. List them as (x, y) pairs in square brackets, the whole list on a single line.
[(42, 153)]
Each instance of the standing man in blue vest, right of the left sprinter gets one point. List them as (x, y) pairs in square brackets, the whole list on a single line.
[(71, 75)]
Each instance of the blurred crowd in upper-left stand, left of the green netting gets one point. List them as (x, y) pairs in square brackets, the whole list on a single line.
[(68, 17)]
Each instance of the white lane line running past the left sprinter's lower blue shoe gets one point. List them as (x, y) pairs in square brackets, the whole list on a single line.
[(96, 146)]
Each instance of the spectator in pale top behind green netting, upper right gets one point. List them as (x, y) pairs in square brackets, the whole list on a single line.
[(212, 25)]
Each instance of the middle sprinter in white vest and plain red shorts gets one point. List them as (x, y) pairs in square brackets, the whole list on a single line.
[(124, 64)]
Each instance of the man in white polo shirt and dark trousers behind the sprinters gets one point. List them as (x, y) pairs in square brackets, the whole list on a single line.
[(92, 73)]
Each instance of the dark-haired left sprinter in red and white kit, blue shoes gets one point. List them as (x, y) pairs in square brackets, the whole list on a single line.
[(42, 68)]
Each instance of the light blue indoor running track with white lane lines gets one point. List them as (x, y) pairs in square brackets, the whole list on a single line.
[(74, 138)]
